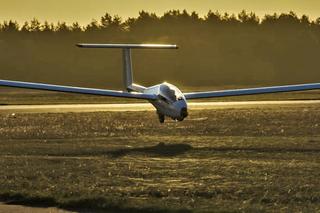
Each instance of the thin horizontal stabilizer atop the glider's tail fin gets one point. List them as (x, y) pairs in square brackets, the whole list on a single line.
[(130, 46)]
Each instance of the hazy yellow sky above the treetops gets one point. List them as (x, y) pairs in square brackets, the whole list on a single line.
[(84, 11)]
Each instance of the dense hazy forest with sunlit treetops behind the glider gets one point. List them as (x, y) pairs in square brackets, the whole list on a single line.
[(218, 49)]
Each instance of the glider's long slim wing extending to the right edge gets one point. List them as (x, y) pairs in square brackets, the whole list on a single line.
[(252, 91)]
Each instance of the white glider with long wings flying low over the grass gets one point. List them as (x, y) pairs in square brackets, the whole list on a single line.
[(168, 100)]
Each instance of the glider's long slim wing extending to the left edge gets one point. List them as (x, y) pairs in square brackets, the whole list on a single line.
[(81, 90)]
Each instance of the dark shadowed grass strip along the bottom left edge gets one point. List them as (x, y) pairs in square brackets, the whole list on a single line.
[(98, 204)]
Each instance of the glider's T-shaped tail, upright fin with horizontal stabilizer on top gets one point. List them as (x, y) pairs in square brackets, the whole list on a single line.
[(127, 62)]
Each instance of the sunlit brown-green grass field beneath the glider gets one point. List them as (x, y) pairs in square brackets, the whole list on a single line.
[(227, 160)]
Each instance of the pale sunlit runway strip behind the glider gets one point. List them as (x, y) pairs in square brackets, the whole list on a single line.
[(63, 108)]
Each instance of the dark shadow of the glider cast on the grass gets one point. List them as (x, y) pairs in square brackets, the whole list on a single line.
[(167, 150)]
